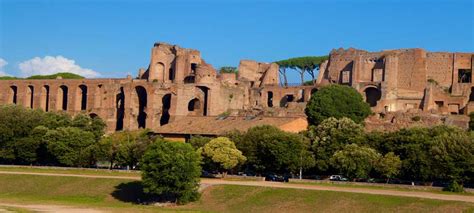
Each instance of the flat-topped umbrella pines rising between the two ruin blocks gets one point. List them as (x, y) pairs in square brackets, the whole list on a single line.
[(306, 64)]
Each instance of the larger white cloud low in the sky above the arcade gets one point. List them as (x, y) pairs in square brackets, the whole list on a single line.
[(51, 65)]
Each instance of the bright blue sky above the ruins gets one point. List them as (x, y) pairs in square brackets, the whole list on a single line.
[(114, 38)]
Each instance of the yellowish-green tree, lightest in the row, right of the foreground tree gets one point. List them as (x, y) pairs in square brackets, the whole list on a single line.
[(222, 151)]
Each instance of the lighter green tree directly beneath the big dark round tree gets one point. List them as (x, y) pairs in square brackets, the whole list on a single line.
[(332, 135)]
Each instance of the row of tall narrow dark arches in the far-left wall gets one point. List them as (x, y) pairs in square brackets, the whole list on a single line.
[(45, 96)]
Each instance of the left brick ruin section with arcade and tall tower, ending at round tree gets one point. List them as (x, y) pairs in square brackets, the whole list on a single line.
[(177, 84)]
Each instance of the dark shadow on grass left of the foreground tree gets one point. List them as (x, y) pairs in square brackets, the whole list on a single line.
[(131, 192)]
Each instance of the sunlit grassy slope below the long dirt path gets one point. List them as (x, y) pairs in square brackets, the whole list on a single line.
[(117, 195)]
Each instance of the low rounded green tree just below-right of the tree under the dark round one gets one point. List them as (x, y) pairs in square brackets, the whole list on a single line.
[(355, 161)]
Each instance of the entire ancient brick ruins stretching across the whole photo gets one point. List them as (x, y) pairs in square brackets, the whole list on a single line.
[(180, 89)]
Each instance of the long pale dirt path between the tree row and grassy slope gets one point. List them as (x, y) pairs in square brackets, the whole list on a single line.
[(427, 195)]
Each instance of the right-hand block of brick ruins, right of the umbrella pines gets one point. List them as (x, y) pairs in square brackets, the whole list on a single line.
[(406, 80)]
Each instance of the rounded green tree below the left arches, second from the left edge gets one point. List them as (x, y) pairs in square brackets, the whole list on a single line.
[(71, 146)]
